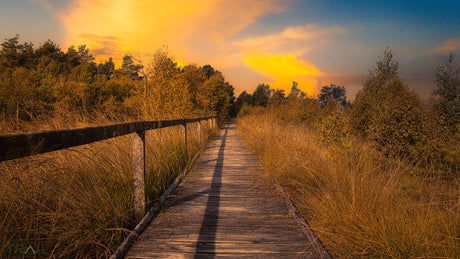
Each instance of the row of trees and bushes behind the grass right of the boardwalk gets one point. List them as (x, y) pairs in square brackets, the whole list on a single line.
[(385, 112)]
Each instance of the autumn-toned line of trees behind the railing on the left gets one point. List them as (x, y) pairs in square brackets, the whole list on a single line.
[(44, 81)]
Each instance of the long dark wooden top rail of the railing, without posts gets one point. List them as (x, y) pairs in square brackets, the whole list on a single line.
[(26, 144)]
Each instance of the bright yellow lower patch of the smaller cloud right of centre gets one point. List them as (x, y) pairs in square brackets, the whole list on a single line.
[(283, 69)]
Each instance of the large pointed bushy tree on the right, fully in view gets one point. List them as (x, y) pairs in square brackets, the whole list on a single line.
[(386, 111)]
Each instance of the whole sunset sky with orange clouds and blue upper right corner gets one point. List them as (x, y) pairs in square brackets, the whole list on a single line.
[(312, 42)]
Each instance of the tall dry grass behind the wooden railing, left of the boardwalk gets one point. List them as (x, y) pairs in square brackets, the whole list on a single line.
[(78, 202)]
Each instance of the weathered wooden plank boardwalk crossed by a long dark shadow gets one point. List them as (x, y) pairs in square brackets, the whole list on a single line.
[(225, 208)]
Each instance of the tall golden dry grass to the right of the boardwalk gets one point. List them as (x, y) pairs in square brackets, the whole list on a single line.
[(359, 203)]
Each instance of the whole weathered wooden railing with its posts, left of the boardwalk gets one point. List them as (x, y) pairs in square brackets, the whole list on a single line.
[(14, 146)]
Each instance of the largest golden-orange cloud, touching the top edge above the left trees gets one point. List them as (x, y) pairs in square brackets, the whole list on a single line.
[(193, 30)]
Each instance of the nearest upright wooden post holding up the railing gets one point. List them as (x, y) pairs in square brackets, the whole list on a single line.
[(139, 174)]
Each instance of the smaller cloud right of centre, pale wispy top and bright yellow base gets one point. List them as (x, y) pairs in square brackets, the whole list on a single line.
[(280, 56)]
